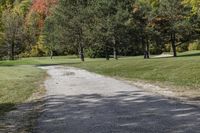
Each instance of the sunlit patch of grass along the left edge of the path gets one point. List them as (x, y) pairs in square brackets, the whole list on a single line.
[(18, 84)]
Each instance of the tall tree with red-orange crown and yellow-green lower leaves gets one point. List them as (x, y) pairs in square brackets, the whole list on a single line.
[(35, 17)]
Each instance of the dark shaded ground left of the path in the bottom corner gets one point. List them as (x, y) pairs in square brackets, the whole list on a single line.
[(21, 119)]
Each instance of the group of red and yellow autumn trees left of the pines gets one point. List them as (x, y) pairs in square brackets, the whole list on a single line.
[(21, 27)]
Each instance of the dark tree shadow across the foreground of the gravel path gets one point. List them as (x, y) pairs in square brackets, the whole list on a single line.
[(125, 112)]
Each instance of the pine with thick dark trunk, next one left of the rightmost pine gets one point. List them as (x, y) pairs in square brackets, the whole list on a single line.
[(142, 15)]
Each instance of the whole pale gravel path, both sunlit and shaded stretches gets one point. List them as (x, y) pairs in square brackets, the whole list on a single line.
[(78, 101)]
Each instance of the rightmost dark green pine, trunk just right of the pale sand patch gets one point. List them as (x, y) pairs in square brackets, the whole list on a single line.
[(173, 19)]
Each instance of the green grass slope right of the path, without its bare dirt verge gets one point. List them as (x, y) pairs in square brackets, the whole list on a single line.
[(181, 71)]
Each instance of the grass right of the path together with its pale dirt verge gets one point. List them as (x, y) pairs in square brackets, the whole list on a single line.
[(179, 75)]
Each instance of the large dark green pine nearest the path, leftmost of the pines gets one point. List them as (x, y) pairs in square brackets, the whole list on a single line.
[(70, 19)]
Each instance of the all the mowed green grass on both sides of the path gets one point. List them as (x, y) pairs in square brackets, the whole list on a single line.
[(21, 78)]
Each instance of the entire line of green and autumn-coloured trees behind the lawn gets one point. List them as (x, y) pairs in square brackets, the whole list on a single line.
[(98, 28)]
